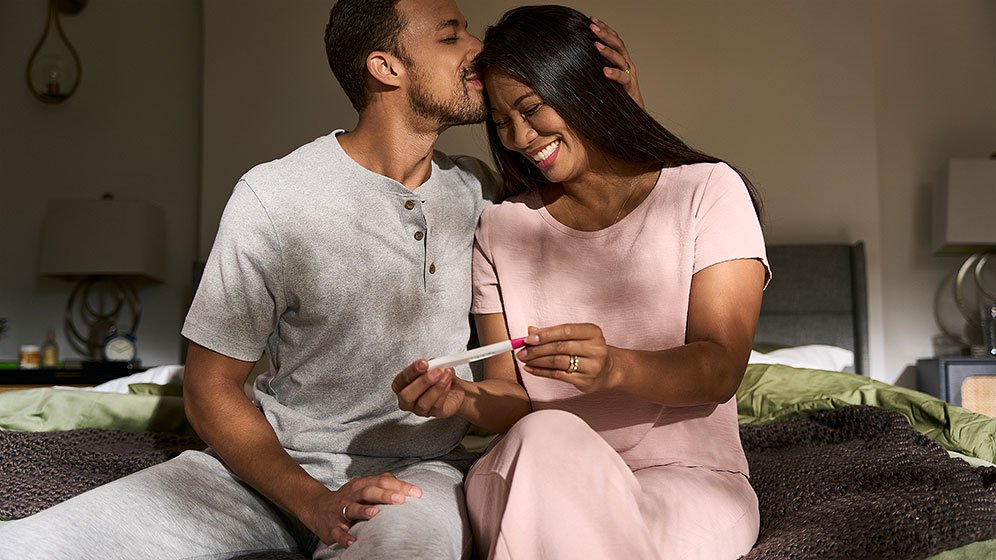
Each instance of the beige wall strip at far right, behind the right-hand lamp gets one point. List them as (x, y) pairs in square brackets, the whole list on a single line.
[(935, 100)]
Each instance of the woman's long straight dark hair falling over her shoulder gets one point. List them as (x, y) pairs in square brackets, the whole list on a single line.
[(552, 50)]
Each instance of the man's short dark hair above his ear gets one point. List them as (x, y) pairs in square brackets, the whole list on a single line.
[(357, 28)]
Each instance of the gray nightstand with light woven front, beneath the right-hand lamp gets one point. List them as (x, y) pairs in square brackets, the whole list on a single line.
[(968, 381)]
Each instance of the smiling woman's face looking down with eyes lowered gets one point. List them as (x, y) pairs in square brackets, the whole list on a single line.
[(527, 125)]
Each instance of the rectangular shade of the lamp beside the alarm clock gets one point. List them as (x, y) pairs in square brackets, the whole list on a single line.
[(103, 238)]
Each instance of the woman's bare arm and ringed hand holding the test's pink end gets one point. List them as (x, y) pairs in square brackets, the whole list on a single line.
[(723, 307)]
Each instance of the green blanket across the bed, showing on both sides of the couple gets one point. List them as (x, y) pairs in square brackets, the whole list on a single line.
[(768, 392)]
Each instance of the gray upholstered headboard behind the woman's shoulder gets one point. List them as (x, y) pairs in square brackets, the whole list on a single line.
[(817, 295)]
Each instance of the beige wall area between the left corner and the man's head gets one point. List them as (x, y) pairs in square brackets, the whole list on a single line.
[(267, 90)]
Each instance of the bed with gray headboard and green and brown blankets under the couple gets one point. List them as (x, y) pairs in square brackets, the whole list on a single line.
[(844, 466)]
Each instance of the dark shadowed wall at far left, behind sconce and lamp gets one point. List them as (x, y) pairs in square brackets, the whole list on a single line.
[(133, 128)]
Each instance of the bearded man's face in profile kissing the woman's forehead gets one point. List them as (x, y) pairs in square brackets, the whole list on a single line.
[(443, 86)]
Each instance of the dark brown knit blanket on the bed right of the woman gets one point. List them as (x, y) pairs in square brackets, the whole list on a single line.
[(860, 483)]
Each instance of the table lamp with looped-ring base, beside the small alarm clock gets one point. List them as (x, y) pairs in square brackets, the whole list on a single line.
[(104, 246)]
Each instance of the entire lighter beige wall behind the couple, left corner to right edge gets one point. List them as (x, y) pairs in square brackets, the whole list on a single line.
[(841, 111)]
